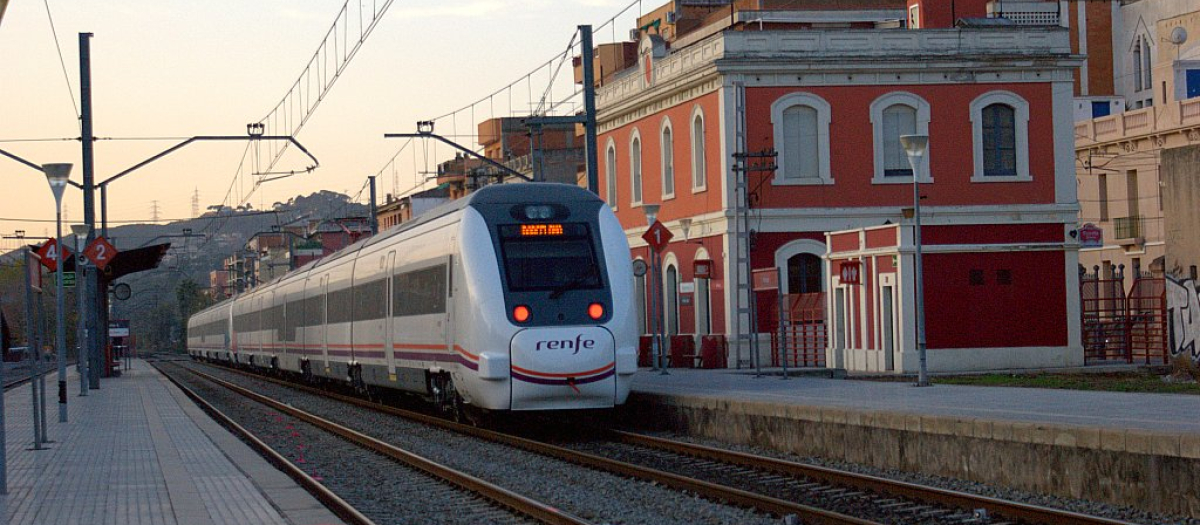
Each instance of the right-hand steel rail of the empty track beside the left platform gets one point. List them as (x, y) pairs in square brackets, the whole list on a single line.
[(495, 493)]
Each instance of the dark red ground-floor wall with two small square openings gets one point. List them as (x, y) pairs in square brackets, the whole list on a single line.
[(1030, 312)]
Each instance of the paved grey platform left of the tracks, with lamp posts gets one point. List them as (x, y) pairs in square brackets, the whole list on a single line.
[(137, 451)]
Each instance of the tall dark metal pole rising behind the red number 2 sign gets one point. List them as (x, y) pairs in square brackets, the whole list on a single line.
[(91, 313)]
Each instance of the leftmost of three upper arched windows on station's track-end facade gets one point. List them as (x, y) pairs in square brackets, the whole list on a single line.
[(801, 124)]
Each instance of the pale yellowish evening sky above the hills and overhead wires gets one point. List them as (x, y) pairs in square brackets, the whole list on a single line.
[(167, 70)]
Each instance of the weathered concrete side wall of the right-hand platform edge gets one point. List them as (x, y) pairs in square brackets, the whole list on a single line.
[(1157, 473)]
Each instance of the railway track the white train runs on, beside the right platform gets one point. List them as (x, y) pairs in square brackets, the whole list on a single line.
[(808, 493)]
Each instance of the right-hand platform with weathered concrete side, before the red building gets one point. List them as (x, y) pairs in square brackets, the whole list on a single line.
[(1142, 450)]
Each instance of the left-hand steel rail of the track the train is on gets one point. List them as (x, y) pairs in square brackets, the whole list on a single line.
[(712, 491)]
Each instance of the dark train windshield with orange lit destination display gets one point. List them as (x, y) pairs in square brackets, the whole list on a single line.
[(549, 257)]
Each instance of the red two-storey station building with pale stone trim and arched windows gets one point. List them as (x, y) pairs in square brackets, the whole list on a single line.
[(689, 123)]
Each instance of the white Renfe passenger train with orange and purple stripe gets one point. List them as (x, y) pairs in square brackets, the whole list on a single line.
[(514, 298)]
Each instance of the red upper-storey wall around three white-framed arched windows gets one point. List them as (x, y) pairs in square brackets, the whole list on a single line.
[(951, 160)]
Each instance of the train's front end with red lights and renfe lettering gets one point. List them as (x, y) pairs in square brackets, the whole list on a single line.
[(563, 294)]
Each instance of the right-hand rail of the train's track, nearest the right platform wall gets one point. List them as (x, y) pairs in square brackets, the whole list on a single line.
[(1010, 510)]
